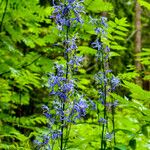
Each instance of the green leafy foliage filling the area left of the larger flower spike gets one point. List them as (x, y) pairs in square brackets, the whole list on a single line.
[(23, 62)]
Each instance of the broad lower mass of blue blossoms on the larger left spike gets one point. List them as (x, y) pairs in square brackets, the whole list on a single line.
[(68, 106)]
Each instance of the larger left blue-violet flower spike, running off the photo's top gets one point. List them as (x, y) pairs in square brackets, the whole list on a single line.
[(68, 105)]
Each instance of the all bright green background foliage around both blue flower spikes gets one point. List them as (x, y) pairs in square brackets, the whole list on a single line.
[(27, 55)]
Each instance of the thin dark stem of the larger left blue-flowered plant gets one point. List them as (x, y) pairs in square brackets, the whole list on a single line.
[(63, 103)]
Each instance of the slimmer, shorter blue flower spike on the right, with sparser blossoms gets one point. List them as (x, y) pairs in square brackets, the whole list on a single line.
[(105, 80)]
